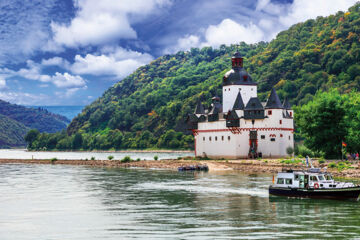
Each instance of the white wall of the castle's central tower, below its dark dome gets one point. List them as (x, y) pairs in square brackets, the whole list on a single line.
[(230, 93)]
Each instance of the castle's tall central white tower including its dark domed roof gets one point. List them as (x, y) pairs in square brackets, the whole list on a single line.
[(237, 80)]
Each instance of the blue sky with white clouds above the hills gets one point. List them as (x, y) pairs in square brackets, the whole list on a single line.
[(68, 52)]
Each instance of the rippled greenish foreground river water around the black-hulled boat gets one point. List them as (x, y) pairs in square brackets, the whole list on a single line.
[(79, 202)]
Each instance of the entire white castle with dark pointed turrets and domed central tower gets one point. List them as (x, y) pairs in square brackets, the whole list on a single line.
[(243, 127)]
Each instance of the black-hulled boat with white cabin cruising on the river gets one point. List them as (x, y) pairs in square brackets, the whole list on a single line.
[(312, 183)]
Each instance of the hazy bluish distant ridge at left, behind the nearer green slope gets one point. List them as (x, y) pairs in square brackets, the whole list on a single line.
[(38, 118)]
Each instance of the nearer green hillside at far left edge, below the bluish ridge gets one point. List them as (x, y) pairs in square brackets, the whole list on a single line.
[(11, 133)]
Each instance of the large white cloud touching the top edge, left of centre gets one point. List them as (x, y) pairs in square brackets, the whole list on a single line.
[(100, 22)]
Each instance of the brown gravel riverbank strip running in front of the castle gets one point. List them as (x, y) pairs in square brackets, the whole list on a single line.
[(248, 166)]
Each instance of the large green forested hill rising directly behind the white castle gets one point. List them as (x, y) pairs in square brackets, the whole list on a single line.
[(148, 108)]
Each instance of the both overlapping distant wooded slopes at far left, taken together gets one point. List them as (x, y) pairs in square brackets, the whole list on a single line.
[(16, 121)]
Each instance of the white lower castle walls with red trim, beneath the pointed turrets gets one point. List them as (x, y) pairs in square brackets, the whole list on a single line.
[(215, 140)]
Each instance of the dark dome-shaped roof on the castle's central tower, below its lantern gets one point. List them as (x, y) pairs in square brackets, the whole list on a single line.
[(238, 76)]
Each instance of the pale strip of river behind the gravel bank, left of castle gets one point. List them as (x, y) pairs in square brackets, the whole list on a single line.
[(23, 154)]
